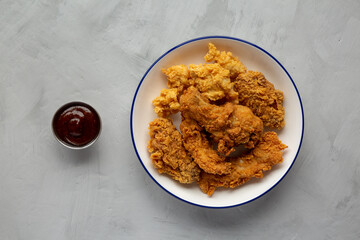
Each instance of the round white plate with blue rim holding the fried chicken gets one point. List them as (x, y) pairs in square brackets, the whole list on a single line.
[(254, 58)]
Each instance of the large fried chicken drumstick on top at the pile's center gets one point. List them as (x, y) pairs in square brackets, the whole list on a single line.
[(229, 125)]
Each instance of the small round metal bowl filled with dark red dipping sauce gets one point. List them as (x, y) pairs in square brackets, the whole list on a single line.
[(76, 125)]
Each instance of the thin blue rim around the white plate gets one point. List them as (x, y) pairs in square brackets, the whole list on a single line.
[(194, 40)]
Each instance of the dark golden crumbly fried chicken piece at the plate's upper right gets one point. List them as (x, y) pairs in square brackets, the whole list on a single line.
[(262, 98)]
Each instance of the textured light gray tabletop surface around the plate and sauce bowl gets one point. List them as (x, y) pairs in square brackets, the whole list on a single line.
[(52, 52)]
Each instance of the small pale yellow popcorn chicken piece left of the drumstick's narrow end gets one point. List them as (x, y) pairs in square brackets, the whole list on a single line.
[(167, 103)]
